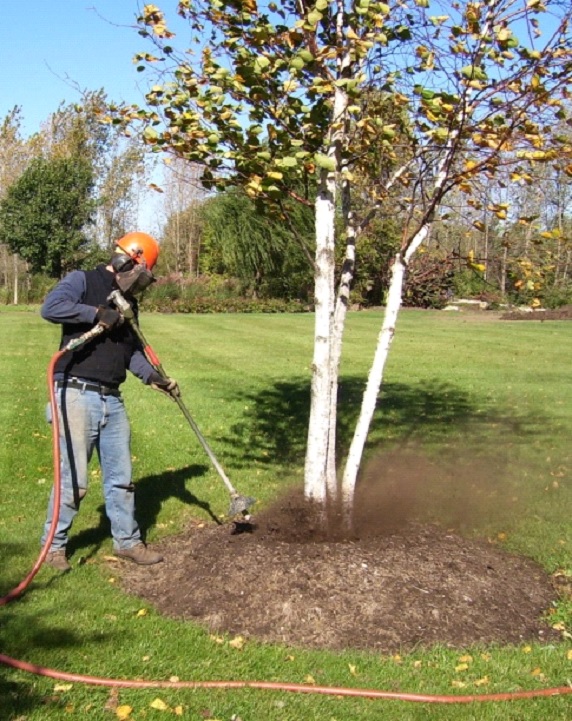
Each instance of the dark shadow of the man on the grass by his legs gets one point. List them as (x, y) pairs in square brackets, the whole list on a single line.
[(150, 494)]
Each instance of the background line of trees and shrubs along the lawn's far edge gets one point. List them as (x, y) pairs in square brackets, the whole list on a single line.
[(70, 190)]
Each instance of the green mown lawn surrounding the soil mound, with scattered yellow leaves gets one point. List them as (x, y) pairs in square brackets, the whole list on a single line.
[(484, 398)]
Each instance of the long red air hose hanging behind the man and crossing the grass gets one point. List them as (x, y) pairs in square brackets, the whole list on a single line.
[(260, 685)]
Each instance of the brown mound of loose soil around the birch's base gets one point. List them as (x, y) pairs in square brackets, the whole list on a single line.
[(286, 577)]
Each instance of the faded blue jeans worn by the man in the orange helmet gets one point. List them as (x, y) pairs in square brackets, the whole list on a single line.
[(90, 421)]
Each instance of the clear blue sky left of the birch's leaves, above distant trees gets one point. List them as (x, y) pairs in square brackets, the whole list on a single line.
[(50, 48)]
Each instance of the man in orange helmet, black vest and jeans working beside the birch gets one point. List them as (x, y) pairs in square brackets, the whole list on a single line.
[(91, 411)]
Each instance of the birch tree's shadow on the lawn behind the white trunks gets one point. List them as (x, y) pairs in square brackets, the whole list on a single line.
[(275, 427)]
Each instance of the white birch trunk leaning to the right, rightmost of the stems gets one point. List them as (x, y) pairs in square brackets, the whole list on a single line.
[(375, 378)]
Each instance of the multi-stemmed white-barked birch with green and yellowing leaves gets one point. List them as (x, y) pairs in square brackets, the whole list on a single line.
[(266, 95)]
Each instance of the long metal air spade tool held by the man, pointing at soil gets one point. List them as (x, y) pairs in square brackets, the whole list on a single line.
[(239, 505)]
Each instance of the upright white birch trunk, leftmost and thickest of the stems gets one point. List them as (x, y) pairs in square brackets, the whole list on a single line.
[(316, 466)]
